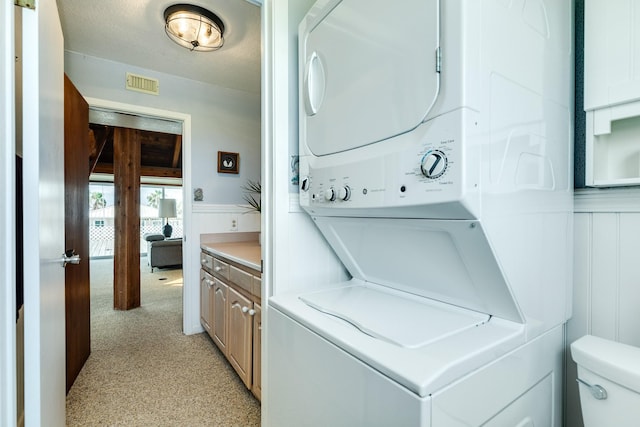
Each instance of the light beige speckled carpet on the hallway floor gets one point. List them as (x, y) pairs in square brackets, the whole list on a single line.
[(143, 371)]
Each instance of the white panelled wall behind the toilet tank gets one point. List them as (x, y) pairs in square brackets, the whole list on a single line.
[(606, 294)]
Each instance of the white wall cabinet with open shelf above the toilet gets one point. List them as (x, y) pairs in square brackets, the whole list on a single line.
[(612, 92)]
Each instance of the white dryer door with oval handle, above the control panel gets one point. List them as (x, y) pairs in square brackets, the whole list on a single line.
[(367, 71)]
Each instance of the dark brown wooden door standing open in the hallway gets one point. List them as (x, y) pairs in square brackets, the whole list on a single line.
[(76, 189)]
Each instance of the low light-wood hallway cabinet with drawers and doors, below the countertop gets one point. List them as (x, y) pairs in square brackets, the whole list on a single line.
[(230, 312)]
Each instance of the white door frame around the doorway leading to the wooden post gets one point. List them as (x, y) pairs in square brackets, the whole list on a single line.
[(190, 290)]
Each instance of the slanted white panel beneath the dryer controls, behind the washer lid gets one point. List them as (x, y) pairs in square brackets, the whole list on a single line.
[(446, 260)]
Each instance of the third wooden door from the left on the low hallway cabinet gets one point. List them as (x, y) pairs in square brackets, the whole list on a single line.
[(240, 335)]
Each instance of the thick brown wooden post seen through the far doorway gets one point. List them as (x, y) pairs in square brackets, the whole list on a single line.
[(126, 259)]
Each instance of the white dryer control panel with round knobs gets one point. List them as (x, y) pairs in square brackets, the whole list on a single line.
[(418, 174)]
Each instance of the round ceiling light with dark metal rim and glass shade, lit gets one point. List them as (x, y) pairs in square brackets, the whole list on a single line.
[(194, 27)]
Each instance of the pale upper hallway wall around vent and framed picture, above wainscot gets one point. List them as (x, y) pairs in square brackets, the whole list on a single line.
[(222, 119)]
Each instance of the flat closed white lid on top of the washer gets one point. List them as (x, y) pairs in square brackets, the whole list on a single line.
[(403, 320)]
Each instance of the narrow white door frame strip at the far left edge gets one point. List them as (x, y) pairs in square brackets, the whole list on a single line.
[(8, 400)]
